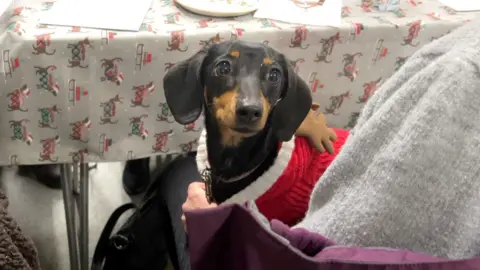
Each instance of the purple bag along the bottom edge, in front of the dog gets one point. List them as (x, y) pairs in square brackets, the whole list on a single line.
[(231, 237)]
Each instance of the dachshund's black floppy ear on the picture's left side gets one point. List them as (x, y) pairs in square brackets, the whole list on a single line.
[(183, 88)]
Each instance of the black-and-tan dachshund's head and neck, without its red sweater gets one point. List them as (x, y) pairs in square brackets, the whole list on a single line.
[(253, 102)]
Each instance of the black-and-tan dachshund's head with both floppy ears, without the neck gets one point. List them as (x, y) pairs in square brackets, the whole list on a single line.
[(243, 85)]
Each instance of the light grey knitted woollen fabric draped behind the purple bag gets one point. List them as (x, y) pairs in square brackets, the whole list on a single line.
[(408, 177)]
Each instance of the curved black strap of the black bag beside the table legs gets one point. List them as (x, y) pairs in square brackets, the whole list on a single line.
[(104, 239)]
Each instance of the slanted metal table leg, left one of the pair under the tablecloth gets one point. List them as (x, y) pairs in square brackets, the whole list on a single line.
[(69, 203)]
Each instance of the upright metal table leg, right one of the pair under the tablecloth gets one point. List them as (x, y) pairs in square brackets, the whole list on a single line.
[(83, 213)]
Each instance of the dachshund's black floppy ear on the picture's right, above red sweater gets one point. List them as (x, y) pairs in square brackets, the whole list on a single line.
[(294, 106)]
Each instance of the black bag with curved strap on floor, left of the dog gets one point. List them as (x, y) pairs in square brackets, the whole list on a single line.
[(140, 243)]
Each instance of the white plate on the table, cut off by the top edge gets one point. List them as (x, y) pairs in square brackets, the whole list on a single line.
[(219, 8)]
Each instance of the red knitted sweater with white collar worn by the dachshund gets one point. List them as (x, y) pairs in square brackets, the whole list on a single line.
[(283, 192)]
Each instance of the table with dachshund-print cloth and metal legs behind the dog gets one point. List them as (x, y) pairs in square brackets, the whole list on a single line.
[(75, 95)]
